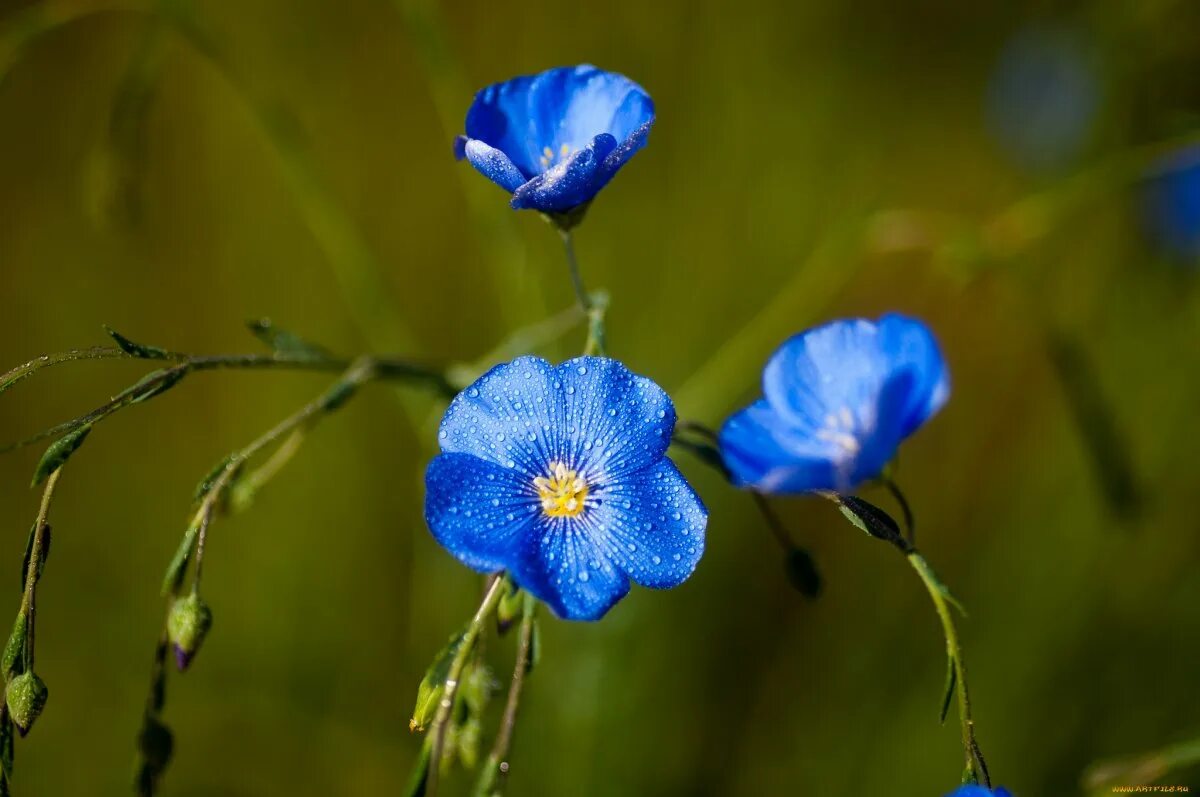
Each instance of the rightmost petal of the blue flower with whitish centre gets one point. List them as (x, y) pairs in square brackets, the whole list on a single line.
[(909, 345)]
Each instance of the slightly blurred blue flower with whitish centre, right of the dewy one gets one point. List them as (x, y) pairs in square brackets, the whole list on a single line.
[(837, 403)]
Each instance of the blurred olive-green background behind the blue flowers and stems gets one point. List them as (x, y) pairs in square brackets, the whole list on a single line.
[(175, 171)]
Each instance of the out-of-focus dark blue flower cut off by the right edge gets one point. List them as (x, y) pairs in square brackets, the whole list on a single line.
[(1172, 203)]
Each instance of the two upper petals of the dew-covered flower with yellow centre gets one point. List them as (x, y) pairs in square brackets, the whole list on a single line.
[(590, 414)]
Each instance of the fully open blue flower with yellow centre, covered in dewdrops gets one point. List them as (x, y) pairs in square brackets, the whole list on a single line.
[(560, 477)]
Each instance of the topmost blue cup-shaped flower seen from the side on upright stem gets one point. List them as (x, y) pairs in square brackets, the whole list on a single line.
[(555, 140)]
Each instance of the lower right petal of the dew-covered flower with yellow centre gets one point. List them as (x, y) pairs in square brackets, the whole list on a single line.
[(651, 526)]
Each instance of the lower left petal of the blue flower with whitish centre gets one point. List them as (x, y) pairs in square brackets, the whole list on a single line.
[(763, 453)]
